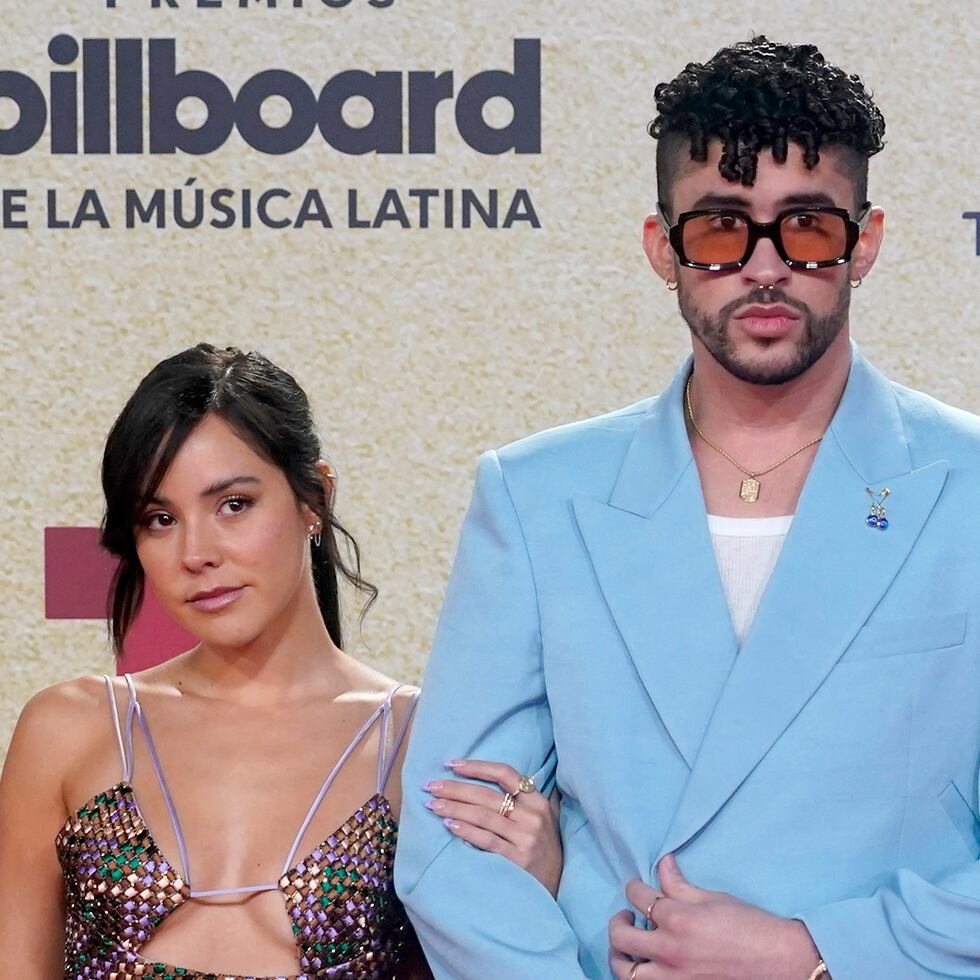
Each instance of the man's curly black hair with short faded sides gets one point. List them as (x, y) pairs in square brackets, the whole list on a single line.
[(756, 95)]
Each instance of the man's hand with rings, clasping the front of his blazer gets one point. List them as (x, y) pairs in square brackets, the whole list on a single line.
[(702, 935)]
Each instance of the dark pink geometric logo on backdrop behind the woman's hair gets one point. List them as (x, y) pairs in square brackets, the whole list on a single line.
[(77, 575)]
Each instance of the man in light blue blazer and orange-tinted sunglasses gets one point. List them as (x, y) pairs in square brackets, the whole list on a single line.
[(780, 787)]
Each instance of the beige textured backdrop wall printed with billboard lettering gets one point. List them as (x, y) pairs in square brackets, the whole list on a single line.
[(429, 212)]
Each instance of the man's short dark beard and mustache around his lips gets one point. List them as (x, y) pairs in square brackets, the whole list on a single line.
[(818, 334)]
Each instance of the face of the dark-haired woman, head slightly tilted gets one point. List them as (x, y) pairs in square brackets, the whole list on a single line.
[(223, 542)]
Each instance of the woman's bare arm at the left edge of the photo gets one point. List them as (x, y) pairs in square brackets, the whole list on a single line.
[(32, 810)]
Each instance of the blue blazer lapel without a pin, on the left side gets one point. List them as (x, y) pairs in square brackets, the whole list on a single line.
[(653, 558)]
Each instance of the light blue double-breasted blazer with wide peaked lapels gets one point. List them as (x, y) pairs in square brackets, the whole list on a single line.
[(826, 770)]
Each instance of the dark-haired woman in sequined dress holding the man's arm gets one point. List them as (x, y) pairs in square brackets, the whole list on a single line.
[(188, 843)]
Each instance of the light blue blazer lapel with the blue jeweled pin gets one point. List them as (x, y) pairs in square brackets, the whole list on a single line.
[(831, 574)]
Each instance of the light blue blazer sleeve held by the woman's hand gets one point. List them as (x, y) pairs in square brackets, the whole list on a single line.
[(478, 915)]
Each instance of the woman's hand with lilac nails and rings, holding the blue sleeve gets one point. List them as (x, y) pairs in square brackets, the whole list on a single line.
[(527, 835)]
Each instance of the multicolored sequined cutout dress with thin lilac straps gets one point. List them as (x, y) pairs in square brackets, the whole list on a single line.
[(345, 916)]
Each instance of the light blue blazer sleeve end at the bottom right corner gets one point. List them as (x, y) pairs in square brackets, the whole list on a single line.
[(913, 928)]
